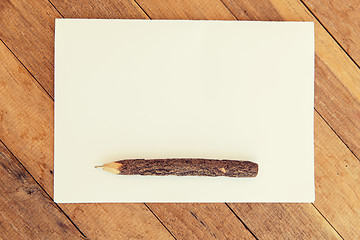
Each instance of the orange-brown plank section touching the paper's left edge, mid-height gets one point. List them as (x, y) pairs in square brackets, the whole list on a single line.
[(26, 119)]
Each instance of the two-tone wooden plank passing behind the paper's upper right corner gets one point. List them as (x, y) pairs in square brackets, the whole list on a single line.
[(337, 91)]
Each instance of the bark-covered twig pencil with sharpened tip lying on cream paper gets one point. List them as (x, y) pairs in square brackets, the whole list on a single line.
[(183, 167)]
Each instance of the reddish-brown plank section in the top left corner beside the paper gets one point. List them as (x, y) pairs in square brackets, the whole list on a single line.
[(27, 28)]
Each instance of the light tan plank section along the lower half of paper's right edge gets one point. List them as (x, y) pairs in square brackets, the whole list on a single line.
[(336, 166)]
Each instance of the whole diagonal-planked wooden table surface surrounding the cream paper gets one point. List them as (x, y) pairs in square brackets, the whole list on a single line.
[(27, 210)]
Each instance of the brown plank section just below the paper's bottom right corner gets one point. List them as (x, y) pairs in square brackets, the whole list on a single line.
[(284, 221)]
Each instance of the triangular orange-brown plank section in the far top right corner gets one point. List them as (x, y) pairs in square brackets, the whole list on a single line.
[(341, 19)]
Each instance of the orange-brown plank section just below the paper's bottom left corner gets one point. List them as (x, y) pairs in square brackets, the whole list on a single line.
[(116, 221)]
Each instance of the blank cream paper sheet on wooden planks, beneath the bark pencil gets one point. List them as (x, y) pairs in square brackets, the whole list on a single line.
[(170, 89)]
